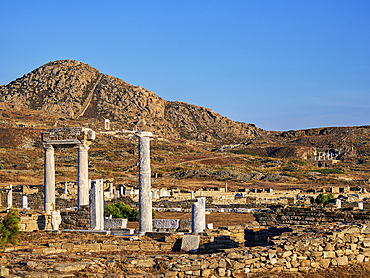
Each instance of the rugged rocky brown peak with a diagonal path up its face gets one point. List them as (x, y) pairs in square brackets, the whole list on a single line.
[(74, 90)]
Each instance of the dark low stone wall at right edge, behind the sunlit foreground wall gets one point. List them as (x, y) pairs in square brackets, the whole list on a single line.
[(309, 216)]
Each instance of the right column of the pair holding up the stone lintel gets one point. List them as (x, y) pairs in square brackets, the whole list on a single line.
[(83, 175)]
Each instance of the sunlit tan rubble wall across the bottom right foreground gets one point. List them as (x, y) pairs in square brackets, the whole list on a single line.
[(344, 246)]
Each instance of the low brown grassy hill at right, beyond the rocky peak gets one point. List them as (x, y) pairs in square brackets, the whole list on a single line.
[(350, 144)]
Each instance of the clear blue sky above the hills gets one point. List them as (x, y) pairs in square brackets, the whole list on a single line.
[(278, 64)]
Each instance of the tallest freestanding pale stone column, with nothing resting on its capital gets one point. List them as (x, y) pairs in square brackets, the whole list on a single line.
[(145, 198)]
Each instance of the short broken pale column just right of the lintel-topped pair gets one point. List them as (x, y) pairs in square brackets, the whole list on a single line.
[(97, 205)]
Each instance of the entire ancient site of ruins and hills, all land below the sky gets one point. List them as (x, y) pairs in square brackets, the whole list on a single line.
[(107, 179)]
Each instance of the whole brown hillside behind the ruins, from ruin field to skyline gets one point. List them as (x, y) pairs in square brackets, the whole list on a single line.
[(193, 147)]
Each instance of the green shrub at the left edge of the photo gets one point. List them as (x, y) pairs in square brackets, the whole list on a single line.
[(9, 229)]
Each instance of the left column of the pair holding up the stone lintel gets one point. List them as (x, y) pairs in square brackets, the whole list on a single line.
[(49, 179)]
